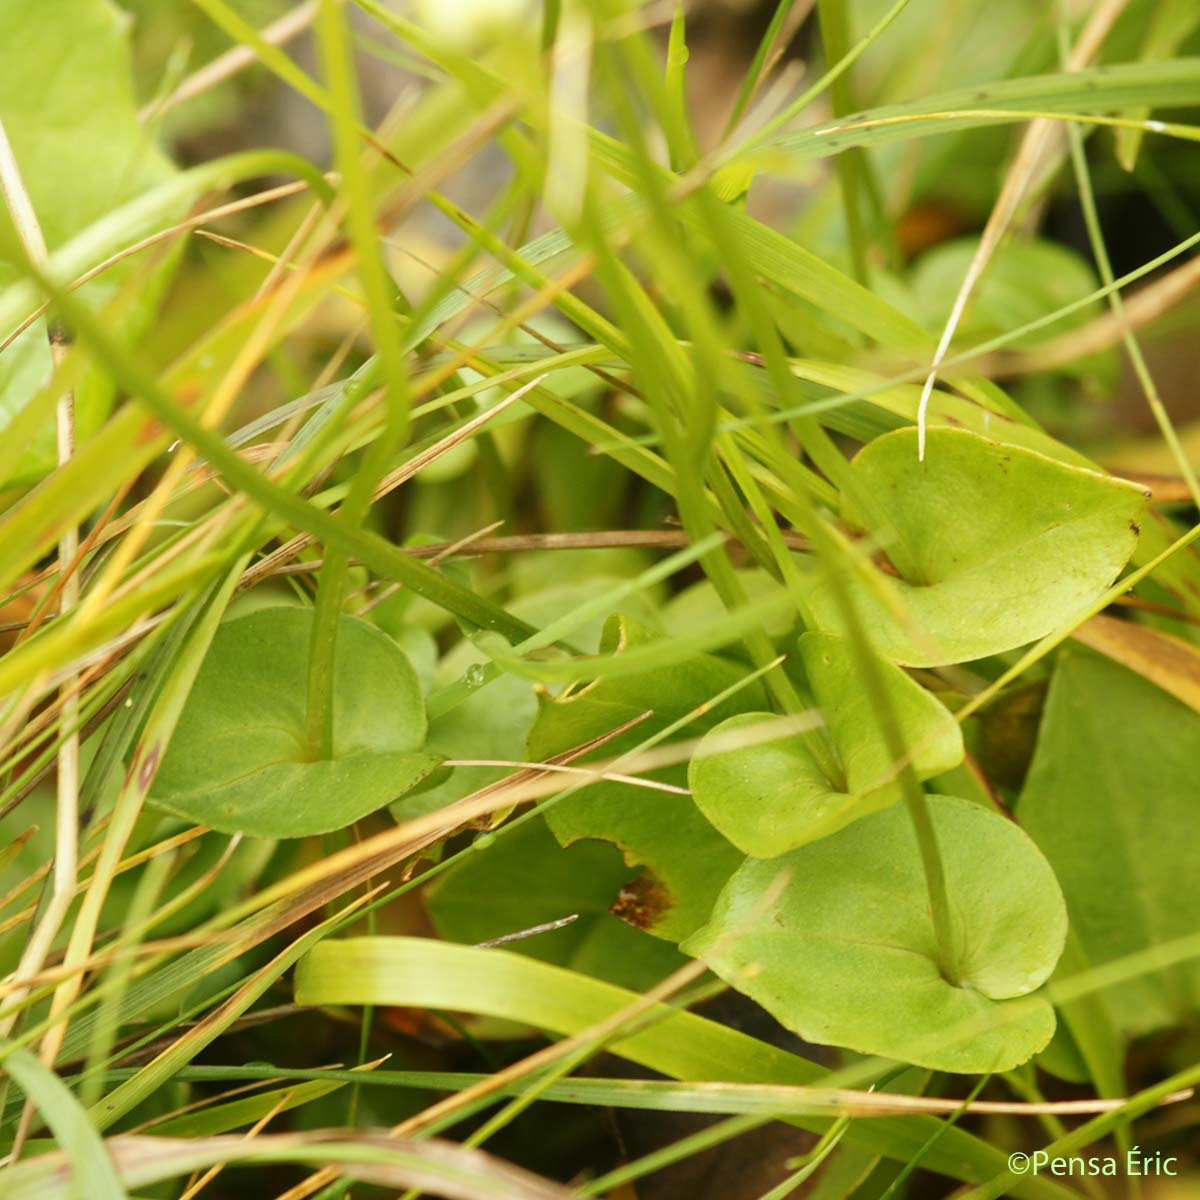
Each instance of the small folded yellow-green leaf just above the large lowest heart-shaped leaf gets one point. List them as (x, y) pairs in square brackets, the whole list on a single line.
[(772, 797)]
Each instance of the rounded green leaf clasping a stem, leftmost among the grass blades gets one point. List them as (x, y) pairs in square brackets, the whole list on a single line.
[(237, 760)]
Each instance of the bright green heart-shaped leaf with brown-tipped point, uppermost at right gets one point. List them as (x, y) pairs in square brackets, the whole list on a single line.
[(993, 547)]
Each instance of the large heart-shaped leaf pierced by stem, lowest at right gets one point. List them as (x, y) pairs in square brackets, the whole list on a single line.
[(845, 955)]
